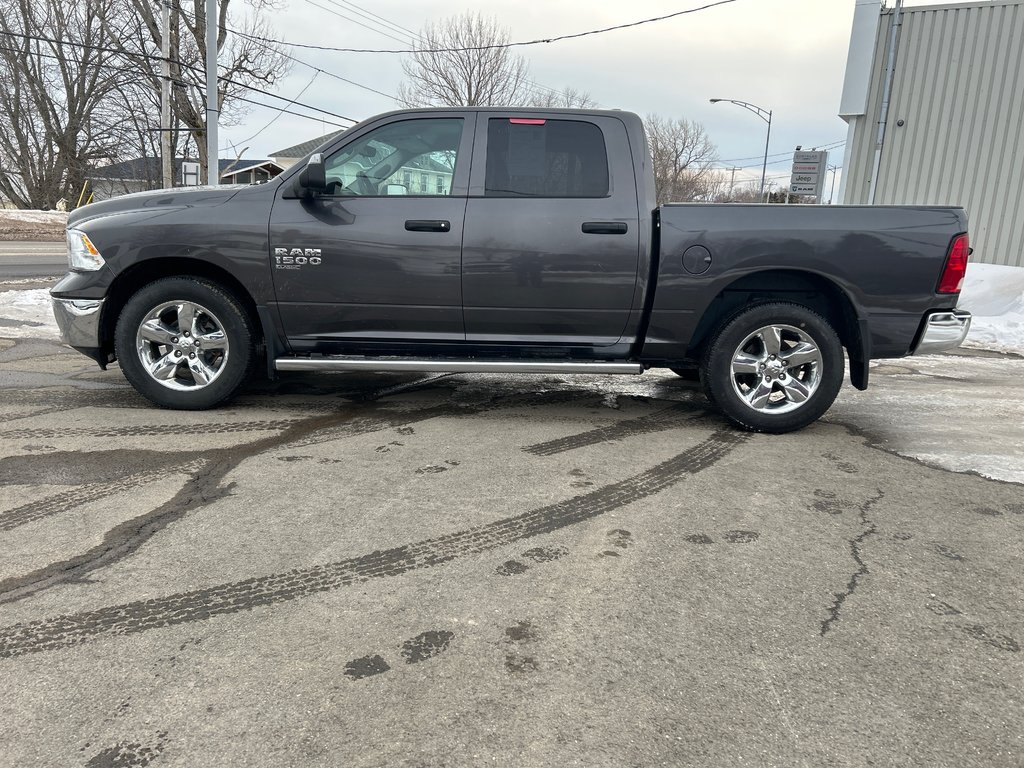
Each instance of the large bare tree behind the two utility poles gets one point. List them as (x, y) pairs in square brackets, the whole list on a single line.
[(244, 60)]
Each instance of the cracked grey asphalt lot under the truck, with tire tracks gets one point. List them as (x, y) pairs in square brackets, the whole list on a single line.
[(398, 571)]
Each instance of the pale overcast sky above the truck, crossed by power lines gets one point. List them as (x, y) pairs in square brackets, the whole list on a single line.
[(784, 56)]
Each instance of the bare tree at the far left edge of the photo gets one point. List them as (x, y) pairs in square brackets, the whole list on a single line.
[(55, 108)]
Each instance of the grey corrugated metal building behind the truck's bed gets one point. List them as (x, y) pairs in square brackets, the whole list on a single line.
[(959, 90)]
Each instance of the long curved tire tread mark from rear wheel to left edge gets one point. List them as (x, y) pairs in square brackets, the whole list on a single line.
[(198, 606)]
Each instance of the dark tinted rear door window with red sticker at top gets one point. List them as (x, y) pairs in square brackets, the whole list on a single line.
[(545, 159)]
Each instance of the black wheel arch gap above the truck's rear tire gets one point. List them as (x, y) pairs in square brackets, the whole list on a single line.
[(799, 287)]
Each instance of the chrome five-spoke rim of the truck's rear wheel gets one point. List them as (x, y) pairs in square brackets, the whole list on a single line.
[(777, 369)]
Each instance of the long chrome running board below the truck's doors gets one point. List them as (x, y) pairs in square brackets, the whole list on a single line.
[(454, 366)]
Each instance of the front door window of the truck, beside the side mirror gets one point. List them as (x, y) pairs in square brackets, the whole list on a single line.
[(393, 160)]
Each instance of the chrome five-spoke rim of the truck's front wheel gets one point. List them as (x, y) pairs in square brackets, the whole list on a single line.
[(183, 346)]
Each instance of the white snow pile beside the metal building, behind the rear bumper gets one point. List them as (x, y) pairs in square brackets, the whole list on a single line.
[(995, 295)]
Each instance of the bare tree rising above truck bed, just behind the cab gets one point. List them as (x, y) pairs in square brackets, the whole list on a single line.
[(684, 157)]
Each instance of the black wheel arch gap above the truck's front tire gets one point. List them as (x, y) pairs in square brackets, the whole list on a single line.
[(145, 273)]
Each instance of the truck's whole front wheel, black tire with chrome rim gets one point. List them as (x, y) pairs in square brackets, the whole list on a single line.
[(185, 344)]
